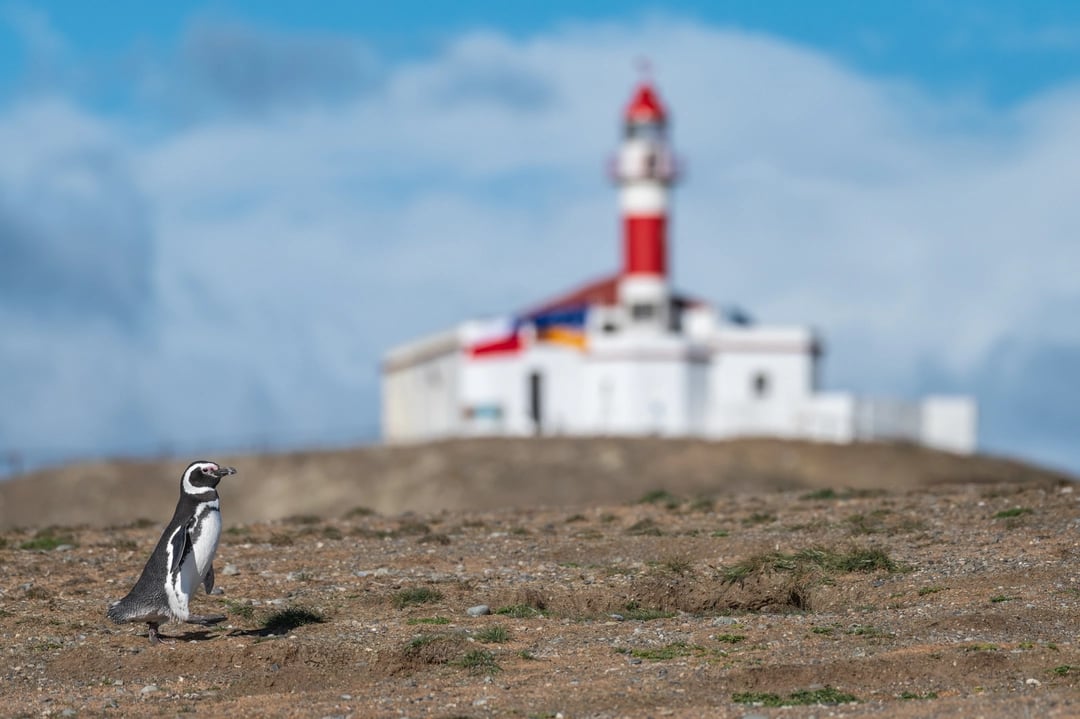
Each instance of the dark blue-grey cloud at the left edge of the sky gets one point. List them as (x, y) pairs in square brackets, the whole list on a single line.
[(76, 241)]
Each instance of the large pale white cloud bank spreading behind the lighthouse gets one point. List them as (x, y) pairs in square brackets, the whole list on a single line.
[(290, 248)]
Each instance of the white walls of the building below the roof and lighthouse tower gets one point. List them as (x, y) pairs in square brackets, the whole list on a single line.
[(638, 384)]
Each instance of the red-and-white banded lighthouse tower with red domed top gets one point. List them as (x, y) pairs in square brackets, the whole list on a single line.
[(644, 171)]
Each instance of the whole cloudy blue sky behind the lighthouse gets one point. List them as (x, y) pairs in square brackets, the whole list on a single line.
[(215, 218)]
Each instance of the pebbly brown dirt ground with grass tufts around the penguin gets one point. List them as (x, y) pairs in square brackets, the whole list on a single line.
[(956, 600)]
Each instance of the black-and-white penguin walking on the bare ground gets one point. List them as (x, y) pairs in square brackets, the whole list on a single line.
[(183, 559)]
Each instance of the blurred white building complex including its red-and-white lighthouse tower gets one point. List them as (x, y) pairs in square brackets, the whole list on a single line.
[(629, 356)]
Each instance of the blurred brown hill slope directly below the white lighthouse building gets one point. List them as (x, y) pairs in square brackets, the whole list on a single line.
[(488, 474)]
